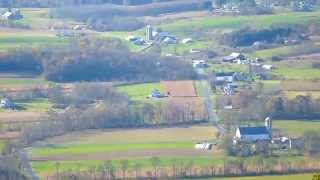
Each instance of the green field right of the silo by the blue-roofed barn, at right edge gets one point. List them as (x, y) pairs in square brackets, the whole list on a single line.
[(296, 128)]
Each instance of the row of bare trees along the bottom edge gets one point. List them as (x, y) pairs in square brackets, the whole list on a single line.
[(188, 169)]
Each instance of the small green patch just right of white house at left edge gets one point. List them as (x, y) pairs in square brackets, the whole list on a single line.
[(35, 105)]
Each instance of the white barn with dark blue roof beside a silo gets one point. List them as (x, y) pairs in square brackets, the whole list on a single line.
[(253, 134)]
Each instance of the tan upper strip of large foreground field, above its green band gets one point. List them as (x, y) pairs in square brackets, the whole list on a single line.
[(136, 136)]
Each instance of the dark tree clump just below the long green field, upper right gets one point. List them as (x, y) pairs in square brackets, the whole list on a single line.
[(247, 36)]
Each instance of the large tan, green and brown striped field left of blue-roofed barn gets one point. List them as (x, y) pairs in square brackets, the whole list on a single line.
[(92, 148)]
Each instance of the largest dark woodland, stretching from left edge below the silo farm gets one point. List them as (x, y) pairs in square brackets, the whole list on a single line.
[(96, 60)]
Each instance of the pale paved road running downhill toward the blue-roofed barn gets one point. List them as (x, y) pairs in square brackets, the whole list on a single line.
[(206, 93)]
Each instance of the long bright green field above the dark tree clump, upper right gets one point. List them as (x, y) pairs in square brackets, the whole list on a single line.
[(227, 22)]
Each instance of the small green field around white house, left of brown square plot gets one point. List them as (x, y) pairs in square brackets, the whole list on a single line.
[(139, 91)]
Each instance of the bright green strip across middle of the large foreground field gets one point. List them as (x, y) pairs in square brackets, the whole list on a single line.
[(97, 148)]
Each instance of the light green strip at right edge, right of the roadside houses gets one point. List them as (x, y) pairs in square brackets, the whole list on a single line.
[(298, 73)]
